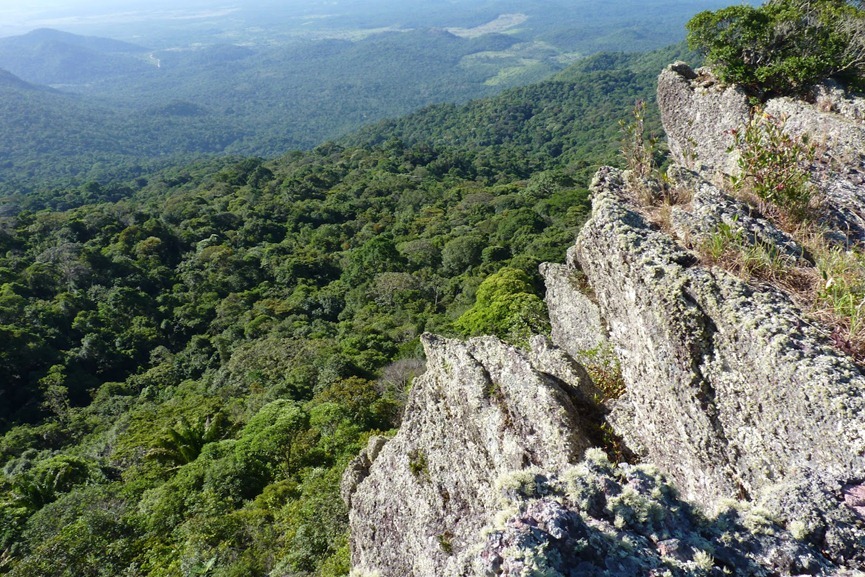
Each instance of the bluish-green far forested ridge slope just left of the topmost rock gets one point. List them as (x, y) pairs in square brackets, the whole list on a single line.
[(567, 120)]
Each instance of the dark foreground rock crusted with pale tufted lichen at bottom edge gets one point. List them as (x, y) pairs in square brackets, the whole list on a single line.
[(596, 519)]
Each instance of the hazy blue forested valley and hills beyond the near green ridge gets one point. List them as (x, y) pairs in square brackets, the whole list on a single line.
[(76, 109)]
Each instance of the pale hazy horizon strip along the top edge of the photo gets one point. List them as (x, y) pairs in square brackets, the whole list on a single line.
[(166, 20)]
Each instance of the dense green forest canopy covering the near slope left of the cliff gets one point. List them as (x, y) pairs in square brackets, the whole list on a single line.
[(191, 358)]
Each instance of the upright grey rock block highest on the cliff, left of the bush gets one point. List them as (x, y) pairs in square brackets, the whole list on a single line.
[(698, 116)]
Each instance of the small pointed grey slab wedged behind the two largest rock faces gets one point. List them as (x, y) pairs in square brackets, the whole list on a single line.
[(575, 319)]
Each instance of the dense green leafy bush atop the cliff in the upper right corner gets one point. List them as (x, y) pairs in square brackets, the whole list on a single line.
[(785, 46)]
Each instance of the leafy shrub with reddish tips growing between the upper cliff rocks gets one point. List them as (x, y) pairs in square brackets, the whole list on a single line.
[(772, 166)]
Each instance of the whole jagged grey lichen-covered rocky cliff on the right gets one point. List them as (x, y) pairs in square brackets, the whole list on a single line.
[(743, 417)]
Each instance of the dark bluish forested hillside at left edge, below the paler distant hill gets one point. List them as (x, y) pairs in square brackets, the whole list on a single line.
[(49, 137)]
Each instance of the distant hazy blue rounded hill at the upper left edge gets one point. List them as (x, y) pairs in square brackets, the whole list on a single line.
[(48, 56)]
